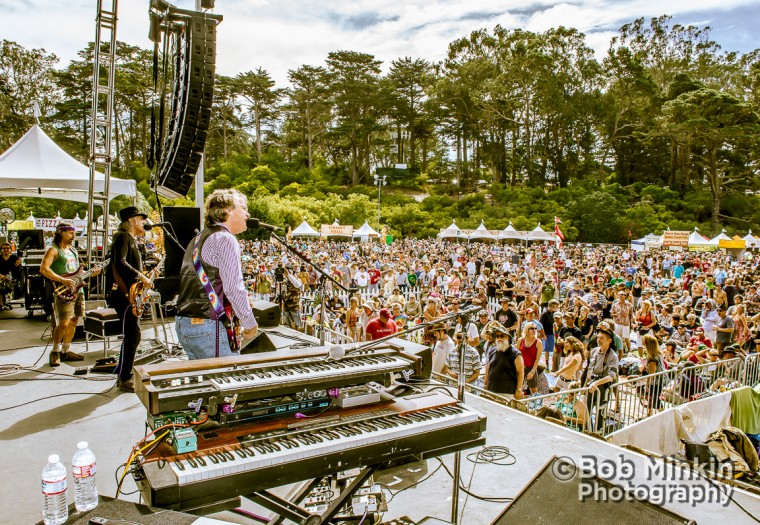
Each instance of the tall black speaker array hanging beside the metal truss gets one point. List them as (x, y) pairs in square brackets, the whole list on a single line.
[(190, 44)]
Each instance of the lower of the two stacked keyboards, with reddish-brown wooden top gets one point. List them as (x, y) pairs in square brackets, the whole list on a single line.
[(237, 461)]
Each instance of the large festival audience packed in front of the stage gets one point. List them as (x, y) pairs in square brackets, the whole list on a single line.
[(550, 318)]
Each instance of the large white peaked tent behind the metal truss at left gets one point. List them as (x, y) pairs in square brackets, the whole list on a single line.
[(35, 166)]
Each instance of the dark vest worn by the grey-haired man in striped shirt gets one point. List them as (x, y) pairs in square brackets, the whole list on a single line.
[(193, 300)]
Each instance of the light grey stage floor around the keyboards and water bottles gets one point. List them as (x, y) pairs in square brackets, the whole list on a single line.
[(49, 410)]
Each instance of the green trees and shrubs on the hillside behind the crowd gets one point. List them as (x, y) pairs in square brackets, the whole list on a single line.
[(663, 132)]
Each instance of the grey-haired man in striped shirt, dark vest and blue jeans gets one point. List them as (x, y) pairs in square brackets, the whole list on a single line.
[(201, 330)]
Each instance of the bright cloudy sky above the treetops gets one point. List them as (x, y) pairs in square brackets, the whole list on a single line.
[(278, 35)]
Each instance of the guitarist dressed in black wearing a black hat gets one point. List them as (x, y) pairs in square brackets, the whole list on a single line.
[(126, 268)]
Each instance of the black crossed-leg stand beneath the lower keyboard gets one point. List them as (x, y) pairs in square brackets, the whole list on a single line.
[(291, 510)]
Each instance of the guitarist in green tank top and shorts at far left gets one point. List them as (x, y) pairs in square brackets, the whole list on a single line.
[(61, 258)]
